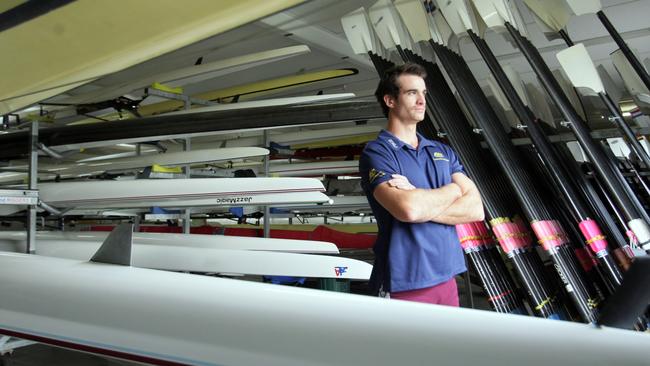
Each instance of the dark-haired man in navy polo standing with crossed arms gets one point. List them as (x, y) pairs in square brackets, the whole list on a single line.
[(418, 191)]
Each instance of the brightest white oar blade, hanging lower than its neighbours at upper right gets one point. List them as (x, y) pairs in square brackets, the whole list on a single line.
[(580, 69)]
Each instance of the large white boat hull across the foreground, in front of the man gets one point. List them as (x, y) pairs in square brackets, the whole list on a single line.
[(156, 317)]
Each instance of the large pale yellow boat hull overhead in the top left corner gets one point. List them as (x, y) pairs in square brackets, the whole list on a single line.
[(106, 44)]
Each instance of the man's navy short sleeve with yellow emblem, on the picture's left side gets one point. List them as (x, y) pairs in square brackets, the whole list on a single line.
[(376, 165)]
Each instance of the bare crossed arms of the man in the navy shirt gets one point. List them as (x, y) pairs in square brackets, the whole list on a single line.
[(455, 203)]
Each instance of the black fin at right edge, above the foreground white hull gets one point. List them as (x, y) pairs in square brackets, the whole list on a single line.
[(631, 299)]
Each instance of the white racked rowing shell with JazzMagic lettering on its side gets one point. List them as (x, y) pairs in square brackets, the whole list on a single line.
[(182, 192)]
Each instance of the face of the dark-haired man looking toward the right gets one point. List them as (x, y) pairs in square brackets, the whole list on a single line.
[(410, 105)]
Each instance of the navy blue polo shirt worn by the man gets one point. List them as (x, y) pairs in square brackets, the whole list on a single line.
[(410, 256)]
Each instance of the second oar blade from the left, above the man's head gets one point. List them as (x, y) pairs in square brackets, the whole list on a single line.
[(388, 25)]
